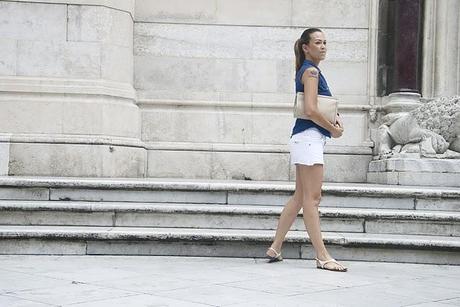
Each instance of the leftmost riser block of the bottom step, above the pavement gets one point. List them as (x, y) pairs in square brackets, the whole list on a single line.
[(41, 247)]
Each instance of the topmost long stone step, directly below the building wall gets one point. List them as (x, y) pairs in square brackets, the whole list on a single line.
[(225, 192)]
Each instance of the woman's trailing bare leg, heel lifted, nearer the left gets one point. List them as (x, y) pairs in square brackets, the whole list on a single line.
[(287, 218)]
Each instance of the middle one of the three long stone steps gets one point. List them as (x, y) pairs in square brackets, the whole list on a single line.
[(116, 214)]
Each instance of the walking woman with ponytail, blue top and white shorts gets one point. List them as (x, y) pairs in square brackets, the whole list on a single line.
[(306, 149)]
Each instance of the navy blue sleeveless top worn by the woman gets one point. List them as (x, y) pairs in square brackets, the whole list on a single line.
[(323, 89)]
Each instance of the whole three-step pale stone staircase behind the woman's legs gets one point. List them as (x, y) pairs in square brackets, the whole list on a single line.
[(223, 218)]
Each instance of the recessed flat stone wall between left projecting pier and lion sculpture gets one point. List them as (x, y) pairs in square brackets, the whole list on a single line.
[(215, 85)]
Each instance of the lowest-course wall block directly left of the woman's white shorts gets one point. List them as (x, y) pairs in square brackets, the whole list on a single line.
[(250, 166)]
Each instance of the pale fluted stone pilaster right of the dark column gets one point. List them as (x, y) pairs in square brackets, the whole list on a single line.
[(441, 50)]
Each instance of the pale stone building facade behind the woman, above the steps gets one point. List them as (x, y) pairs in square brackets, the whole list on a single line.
[(193, 89)]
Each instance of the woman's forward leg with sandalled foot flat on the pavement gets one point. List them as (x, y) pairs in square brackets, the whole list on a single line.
[(312, 180)]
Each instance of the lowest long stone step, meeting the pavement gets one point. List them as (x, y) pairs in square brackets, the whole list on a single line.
[(83, 240)]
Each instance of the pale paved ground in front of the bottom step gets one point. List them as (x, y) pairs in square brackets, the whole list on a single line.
[(193, 281)]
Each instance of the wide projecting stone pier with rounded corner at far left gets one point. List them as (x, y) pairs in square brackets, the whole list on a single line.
[(67, 102)]
